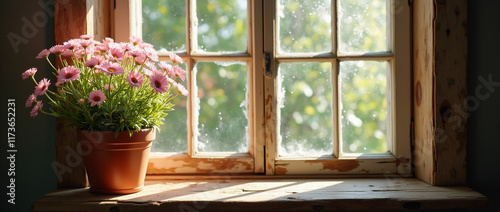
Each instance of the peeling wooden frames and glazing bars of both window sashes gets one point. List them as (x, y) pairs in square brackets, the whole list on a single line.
[(396, 161)]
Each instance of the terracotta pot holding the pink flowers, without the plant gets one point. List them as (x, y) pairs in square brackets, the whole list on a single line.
[(116, 164)]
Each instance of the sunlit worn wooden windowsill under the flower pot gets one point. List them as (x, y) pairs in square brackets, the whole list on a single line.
[(269, 195)]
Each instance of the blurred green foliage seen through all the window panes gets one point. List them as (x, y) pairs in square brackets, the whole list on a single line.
[(306, 90)]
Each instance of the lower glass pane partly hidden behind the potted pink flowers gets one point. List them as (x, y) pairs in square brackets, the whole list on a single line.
[(173, 134)]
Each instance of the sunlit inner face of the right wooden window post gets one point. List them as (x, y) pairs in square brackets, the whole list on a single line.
[(423, 81)]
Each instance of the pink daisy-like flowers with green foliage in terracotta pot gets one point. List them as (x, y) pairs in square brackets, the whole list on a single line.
[(119, 91)]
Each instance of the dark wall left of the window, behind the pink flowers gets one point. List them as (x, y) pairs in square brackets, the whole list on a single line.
[(34, 136)]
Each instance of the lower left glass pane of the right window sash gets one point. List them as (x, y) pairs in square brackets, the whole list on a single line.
[(305, 102)]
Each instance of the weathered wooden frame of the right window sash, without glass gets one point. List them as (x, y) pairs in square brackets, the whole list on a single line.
[(398, 160)]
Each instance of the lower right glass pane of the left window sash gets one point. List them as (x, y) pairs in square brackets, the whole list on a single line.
[(222, 117)]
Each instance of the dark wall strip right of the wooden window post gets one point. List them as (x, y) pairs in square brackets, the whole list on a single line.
[(483, 127)]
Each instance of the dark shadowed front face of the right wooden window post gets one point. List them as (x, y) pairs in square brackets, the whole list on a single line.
[(451, 92)]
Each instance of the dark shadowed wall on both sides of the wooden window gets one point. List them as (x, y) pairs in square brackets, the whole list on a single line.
[(35, 136)]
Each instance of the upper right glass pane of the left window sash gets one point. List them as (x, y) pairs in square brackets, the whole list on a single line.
[(222, 25)]
